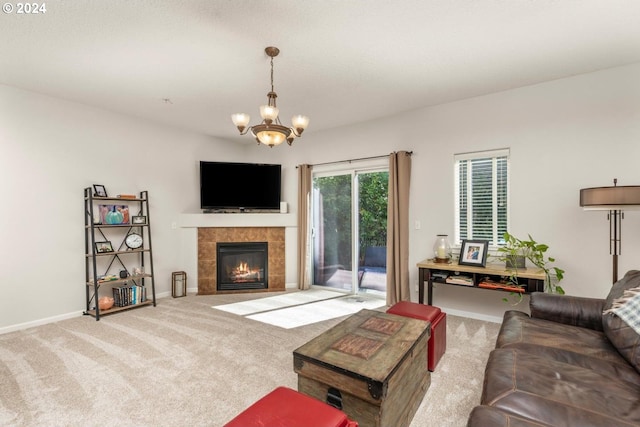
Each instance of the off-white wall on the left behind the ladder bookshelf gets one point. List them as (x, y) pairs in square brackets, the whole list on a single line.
[(50, 150)]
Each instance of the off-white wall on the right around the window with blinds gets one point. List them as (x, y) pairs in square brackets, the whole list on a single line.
[(564, 135)]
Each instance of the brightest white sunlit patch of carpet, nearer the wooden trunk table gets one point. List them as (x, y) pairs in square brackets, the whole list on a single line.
[(300, 315)]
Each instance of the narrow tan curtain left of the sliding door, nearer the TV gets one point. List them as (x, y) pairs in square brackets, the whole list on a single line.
[(304, 193)]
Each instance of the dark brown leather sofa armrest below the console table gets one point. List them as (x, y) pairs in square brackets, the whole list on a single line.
[(570, 310)]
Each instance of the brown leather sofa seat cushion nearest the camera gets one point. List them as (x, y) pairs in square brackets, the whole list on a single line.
[(557, 393)]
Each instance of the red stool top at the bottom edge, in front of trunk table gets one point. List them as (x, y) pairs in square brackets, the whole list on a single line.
[(284, 407)]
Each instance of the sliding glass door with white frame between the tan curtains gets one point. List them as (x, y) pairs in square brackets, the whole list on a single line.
[(349, 227)]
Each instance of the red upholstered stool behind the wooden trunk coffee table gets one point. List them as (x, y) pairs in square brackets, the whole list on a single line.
[(438, 341)]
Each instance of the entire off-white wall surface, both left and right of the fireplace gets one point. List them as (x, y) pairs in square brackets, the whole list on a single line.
[(563, 135)]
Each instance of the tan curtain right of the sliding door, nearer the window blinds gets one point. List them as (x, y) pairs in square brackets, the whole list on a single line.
[(398, 228)]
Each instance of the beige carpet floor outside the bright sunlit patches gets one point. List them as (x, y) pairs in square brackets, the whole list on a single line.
[(184, 364)]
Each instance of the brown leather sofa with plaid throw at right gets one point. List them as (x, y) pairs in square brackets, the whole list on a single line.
[(567, 364)]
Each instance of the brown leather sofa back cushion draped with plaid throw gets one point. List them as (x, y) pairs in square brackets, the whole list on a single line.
[(623, 337)]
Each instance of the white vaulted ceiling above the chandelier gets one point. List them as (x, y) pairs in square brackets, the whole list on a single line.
[(192, 63)]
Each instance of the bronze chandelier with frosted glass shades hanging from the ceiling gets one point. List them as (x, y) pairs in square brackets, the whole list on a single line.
[(270, 131)]
